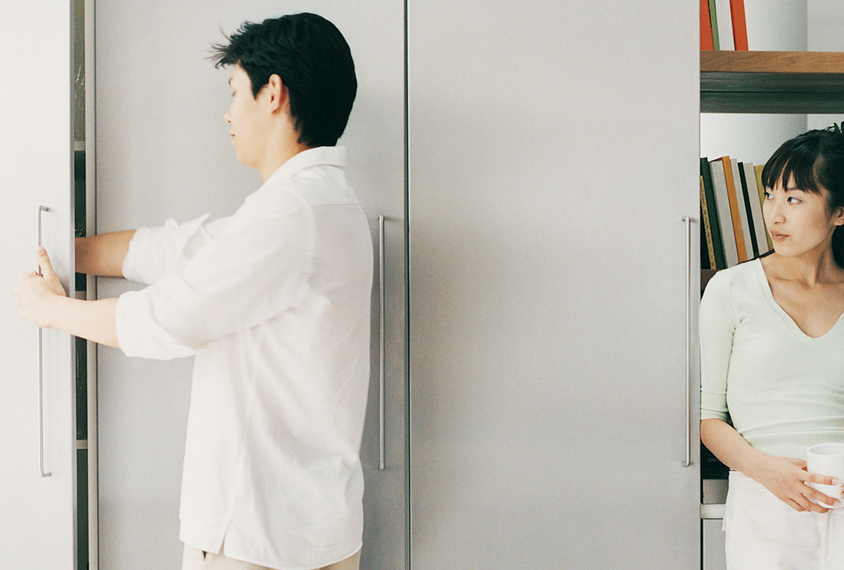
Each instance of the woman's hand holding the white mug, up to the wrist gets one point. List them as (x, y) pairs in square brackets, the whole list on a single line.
[(787, 478)]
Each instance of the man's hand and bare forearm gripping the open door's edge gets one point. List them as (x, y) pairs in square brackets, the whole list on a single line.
[(42, 301)]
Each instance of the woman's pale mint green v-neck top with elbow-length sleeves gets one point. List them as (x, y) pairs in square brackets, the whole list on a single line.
[(782, 389)]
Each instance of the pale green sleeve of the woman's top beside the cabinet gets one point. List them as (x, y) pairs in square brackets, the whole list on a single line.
[(717, 327)]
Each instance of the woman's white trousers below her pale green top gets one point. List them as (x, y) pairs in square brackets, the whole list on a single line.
[(763, 533)]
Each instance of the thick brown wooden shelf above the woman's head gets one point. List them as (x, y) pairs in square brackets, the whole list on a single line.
[(771, 82)]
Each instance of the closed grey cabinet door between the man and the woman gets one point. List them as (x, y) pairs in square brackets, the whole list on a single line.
[(552, 150)]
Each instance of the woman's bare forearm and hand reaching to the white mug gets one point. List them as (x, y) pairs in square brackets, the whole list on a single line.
[(784, 477)]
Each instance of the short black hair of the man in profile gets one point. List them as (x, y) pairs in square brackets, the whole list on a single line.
[(314, 62)]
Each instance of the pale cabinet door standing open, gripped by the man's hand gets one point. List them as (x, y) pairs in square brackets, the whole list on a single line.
[(37, 515)]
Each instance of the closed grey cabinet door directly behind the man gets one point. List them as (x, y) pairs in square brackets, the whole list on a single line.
[(164, 151)]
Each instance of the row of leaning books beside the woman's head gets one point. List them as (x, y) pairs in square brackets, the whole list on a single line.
[(733, 228)]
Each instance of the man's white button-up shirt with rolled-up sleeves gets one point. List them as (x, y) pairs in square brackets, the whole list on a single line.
[(274, 303)]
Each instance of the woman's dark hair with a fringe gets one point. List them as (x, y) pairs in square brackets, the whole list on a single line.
[(815, 160)]
